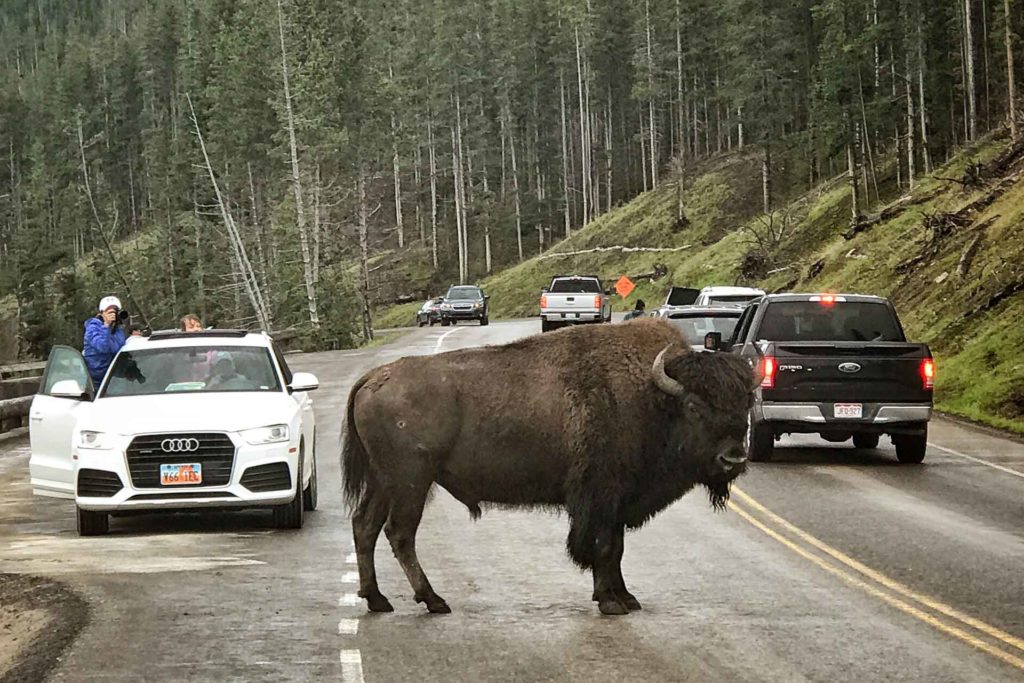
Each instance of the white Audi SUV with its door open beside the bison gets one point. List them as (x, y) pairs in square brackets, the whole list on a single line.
[(212, 419)]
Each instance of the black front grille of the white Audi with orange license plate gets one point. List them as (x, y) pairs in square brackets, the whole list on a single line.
[(215, 452)]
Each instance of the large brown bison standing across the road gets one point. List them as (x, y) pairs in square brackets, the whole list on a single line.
[(611, 424)]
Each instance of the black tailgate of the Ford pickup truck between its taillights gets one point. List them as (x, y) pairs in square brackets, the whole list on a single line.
[(855, 372)]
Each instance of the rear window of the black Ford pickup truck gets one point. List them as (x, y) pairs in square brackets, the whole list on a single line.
[(835, 322)]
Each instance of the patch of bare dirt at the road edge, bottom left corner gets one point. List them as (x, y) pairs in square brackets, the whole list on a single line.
[(39, 619)]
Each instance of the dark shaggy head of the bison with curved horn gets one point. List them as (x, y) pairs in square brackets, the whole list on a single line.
[(714, 393)]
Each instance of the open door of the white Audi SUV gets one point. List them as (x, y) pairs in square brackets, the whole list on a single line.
[(53, 417)]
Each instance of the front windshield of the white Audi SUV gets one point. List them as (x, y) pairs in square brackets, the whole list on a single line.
[(191, 370)]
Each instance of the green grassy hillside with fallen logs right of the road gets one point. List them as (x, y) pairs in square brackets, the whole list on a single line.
[(951, 255)]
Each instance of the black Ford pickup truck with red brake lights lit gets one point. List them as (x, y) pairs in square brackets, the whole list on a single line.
[(838, 366)]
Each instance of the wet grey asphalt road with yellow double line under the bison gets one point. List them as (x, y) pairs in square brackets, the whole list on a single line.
[(829, 566)]
